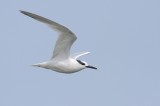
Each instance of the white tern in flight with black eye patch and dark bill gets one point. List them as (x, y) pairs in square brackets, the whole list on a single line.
[(62, 61)]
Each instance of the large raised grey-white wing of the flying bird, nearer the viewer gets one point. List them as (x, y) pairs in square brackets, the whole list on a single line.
[(65, 39)]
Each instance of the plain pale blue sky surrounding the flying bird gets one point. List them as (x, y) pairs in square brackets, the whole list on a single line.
[(123, 37)]
